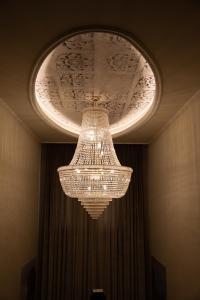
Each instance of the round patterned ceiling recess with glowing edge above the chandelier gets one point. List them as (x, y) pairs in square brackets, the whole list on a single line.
[(102, 68)]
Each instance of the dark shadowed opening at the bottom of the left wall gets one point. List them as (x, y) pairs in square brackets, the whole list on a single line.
[(28, 278)]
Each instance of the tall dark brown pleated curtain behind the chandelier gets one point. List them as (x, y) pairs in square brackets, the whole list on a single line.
[(78, 254)]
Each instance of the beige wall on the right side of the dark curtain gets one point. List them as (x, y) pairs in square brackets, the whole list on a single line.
[(174, 191)]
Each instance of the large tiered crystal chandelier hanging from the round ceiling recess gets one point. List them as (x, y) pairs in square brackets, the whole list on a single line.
[(95, 175)]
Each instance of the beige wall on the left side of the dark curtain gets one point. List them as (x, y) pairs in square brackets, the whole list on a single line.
[(19, 182)]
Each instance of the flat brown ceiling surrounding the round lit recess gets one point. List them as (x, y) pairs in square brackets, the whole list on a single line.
[(169, 32)]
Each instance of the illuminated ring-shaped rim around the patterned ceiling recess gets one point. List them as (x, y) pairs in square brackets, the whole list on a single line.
[(115, 130)]
